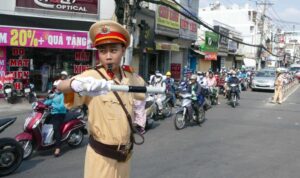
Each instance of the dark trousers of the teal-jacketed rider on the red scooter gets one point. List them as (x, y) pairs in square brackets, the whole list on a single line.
[(57, 120)]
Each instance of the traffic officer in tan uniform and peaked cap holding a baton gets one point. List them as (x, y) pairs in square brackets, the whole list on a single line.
[(108, 154)]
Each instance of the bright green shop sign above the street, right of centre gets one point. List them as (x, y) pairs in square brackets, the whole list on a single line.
[(211, 42)]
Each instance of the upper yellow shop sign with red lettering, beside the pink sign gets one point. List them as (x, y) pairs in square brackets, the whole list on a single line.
[(168, 17)]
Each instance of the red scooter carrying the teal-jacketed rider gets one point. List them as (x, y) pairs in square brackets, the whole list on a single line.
[(33, 138)]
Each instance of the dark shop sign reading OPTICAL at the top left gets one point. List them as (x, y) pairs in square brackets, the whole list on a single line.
[(78, 6)]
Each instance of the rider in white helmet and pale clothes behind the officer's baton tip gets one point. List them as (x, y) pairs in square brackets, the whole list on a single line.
[(157, 81)]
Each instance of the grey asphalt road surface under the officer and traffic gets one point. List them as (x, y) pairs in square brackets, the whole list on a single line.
[(255, 140)]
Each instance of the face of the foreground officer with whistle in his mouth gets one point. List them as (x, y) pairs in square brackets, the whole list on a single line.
[(111, 54)]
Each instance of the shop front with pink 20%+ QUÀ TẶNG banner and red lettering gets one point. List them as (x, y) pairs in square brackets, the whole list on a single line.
[(31, 51)]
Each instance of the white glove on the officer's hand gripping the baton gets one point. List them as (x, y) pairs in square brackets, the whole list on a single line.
[(90, 86)]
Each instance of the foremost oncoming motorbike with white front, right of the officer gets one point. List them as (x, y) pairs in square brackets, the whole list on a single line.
[(186, 114)]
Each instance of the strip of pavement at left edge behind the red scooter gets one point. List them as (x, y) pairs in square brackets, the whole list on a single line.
[(20, 107)]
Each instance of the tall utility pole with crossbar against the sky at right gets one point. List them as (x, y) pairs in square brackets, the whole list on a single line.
[(262, 33)]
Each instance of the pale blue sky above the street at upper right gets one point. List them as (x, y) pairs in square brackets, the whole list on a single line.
[(287, 10)]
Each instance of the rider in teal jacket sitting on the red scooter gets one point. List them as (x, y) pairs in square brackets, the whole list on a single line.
[(58, 112)]
